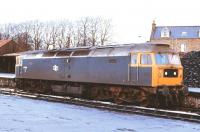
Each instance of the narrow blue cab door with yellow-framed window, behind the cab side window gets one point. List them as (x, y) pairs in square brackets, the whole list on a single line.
[(133, 69)]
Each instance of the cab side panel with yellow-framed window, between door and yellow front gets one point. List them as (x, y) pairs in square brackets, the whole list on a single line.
[(145, 69)]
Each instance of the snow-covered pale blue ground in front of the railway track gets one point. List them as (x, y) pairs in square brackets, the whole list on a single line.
[(19, 114)]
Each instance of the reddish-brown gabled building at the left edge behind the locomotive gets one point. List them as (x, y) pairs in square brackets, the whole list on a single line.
[(7, 46)]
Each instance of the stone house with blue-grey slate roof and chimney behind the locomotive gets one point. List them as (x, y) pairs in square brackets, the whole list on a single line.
[(180, 38)]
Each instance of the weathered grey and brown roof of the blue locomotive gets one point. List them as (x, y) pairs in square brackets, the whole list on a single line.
[(109, 50)]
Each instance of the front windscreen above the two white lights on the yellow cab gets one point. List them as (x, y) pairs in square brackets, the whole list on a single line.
[(167, 58)]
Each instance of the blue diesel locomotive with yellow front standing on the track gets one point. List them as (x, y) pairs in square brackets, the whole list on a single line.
[(145, 74)]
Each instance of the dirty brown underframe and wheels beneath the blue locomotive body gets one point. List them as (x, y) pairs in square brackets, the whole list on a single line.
[(138, 95)]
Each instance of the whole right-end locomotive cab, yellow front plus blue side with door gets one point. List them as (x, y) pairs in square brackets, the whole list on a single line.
[(155, 69)]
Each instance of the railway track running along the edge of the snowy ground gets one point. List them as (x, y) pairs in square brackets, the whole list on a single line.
[(178, 115)]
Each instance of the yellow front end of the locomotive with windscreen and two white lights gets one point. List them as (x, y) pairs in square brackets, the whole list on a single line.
[(168, 70)]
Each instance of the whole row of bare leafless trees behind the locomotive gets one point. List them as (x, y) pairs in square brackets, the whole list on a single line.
[(37, 35)]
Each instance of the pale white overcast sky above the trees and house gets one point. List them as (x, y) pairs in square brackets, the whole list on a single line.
[(131, 19)]
